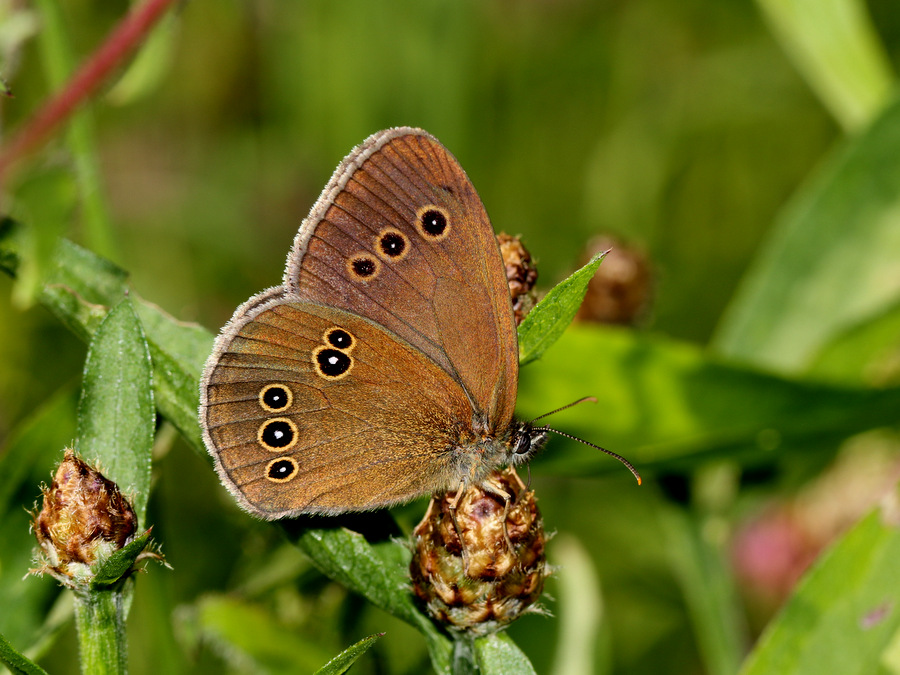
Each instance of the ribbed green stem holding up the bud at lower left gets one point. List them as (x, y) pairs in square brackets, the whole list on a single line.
[(100, 620)]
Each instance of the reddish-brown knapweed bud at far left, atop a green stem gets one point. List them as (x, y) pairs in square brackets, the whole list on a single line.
[(83, 521)]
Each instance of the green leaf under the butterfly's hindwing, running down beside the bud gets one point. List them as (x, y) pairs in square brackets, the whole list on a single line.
[(380, 574)]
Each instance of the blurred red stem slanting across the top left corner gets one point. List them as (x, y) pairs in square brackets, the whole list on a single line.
[(124, 39)]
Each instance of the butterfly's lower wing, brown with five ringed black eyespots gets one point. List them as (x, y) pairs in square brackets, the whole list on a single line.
[(314, 410)]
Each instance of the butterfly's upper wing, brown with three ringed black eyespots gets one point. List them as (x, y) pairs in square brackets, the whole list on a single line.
[(401, 238)]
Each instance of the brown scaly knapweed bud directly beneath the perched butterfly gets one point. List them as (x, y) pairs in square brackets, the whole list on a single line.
[(481, 572)]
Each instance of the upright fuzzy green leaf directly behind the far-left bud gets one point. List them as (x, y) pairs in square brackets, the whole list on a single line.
[(116, 415)]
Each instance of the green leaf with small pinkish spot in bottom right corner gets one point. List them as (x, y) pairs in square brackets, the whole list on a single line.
[(845, 613)]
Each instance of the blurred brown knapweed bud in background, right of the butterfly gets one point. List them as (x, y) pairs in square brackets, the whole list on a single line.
[(620, 291)]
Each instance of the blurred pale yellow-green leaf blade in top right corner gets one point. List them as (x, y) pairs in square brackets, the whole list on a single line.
[(836, 48)]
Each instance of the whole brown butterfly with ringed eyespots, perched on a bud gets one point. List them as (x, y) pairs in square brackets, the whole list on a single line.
[(385, 366)]
